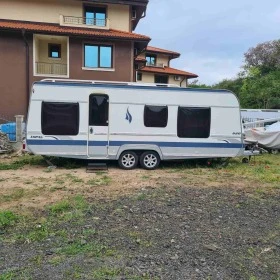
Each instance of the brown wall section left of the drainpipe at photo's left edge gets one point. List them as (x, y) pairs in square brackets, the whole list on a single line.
[(13, 94)]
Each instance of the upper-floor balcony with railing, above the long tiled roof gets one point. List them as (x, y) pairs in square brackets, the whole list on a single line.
[(84, 22)]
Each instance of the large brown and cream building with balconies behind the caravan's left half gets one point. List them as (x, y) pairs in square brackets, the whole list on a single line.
[(86, 40)]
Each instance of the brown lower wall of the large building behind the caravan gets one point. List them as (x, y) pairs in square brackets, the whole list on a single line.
[(13, 82)]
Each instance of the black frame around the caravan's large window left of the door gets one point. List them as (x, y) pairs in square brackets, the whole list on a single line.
[(77, 129)]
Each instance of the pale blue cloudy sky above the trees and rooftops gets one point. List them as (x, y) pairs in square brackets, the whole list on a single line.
[(212, 36)]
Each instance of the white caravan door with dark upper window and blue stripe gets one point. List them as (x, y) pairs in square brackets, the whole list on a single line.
[(98, 139)]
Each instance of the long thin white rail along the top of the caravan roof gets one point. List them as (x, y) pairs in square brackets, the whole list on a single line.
[(107, 83)]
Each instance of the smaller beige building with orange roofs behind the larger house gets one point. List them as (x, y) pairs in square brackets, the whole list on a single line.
[(153, 66)]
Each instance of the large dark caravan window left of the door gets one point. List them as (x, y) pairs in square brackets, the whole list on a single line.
[(60, 118)]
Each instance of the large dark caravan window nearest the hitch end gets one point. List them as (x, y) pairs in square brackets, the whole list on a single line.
[(191, 132)]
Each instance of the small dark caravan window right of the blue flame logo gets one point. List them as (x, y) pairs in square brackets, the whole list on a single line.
[(149, 118)]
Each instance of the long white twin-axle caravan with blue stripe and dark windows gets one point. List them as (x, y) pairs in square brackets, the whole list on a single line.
[(132, 122)]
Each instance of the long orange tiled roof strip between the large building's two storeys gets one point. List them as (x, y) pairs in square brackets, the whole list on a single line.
[(56, 28)]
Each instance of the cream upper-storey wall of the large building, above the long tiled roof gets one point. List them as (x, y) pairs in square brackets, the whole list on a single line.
[(50, 11)]
